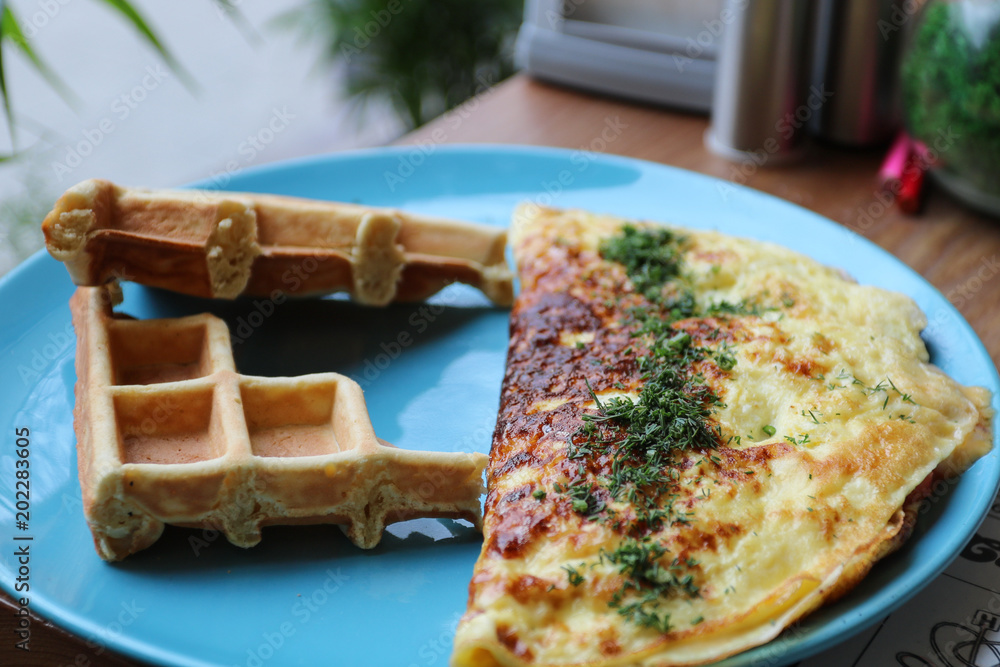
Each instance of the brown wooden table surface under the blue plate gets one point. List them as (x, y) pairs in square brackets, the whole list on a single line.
[(956, 249)]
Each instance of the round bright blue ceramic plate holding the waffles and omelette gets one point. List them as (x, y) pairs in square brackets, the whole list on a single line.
[(305, 595)]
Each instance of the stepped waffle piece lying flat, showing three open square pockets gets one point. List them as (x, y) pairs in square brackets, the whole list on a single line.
[(168, 432)]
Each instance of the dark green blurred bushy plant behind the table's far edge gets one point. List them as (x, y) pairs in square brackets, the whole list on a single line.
[(422, 56)]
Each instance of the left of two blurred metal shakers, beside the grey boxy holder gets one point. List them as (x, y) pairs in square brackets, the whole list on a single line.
[(761, 103)]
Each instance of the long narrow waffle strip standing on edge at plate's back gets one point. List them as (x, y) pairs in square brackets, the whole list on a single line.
[(222, 244)]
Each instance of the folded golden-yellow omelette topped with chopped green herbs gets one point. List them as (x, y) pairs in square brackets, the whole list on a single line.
[(700, 440)]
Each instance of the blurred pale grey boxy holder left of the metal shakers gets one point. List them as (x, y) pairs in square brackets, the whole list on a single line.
[(660, 51)]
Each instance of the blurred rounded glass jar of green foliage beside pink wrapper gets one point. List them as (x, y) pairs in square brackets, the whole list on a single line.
[(951, 92)]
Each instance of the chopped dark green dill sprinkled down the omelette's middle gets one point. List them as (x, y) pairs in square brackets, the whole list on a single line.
[(643, 436)]
